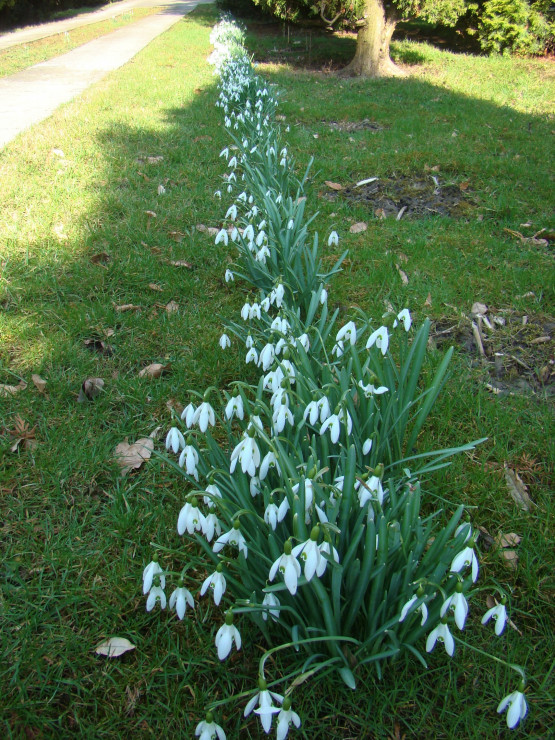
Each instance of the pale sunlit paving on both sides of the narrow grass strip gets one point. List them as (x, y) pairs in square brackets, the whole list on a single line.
[(34, 94)]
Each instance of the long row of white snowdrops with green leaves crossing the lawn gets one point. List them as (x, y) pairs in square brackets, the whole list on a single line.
[(305, 488)]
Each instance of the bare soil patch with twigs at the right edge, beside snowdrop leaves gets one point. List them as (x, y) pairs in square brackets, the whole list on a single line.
[(516, 351)]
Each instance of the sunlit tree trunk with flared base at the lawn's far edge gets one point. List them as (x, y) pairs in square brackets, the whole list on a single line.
[(372, 53)]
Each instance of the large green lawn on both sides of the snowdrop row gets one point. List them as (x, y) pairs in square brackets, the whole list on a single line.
[(76, 534)]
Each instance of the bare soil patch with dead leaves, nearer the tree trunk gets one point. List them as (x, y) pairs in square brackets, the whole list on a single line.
[(410, 197)]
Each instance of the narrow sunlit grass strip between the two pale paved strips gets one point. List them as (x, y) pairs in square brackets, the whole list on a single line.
[(22, 56)]
